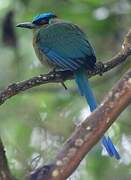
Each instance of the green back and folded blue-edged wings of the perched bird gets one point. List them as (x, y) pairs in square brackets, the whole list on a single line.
[(66, 46)]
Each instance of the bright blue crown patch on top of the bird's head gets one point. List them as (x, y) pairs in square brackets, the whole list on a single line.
[(43, 16)]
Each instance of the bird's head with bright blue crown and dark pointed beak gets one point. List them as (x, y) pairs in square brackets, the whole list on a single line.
[(38, 21)]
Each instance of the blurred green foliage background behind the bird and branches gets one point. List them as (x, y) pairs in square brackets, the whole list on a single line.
[(35, 123)]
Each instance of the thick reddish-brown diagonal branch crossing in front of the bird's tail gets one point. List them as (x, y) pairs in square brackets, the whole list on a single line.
[(87, 134)]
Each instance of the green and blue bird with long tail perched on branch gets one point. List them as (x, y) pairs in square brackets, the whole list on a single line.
[(62, 45)]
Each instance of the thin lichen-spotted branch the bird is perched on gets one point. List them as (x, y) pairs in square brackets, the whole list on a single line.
[(55, 77)]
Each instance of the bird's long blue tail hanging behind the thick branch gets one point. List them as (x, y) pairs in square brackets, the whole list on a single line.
[(85, 90)]
